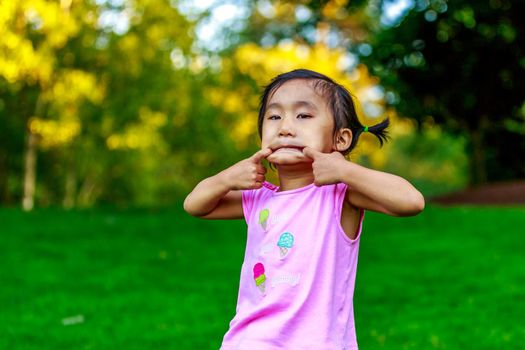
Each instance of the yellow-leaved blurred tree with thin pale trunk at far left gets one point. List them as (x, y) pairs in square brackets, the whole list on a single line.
[(33, 32)]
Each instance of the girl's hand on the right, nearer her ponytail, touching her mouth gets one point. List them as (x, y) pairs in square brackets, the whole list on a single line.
[(326, 166)]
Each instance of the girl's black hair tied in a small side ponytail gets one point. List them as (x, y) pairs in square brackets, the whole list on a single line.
[(338, 98)]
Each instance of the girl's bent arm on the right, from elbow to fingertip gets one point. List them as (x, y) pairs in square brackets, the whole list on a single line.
[(369, 189)]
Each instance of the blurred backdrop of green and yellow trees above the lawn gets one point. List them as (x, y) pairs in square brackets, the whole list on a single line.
[(135, 115)]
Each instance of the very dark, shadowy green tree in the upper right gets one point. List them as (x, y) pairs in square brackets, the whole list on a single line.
[(462, 64)]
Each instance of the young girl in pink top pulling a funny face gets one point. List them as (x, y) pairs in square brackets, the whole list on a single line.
[(297, 280)]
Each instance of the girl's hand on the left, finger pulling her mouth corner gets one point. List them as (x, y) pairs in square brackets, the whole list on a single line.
[(248, 173)]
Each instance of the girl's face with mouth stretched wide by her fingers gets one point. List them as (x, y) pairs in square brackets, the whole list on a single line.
[(296, 117)]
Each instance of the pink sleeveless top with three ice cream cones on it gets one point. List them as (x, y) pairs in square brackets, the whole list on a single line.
[(297, 279)]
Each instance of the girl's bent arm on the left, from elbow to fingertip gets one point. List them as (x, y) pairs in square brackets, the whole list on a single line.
[(219, 196)]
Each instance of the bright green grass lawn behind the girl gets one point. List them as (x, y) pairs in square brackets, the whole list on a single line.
[(450, 278)]
